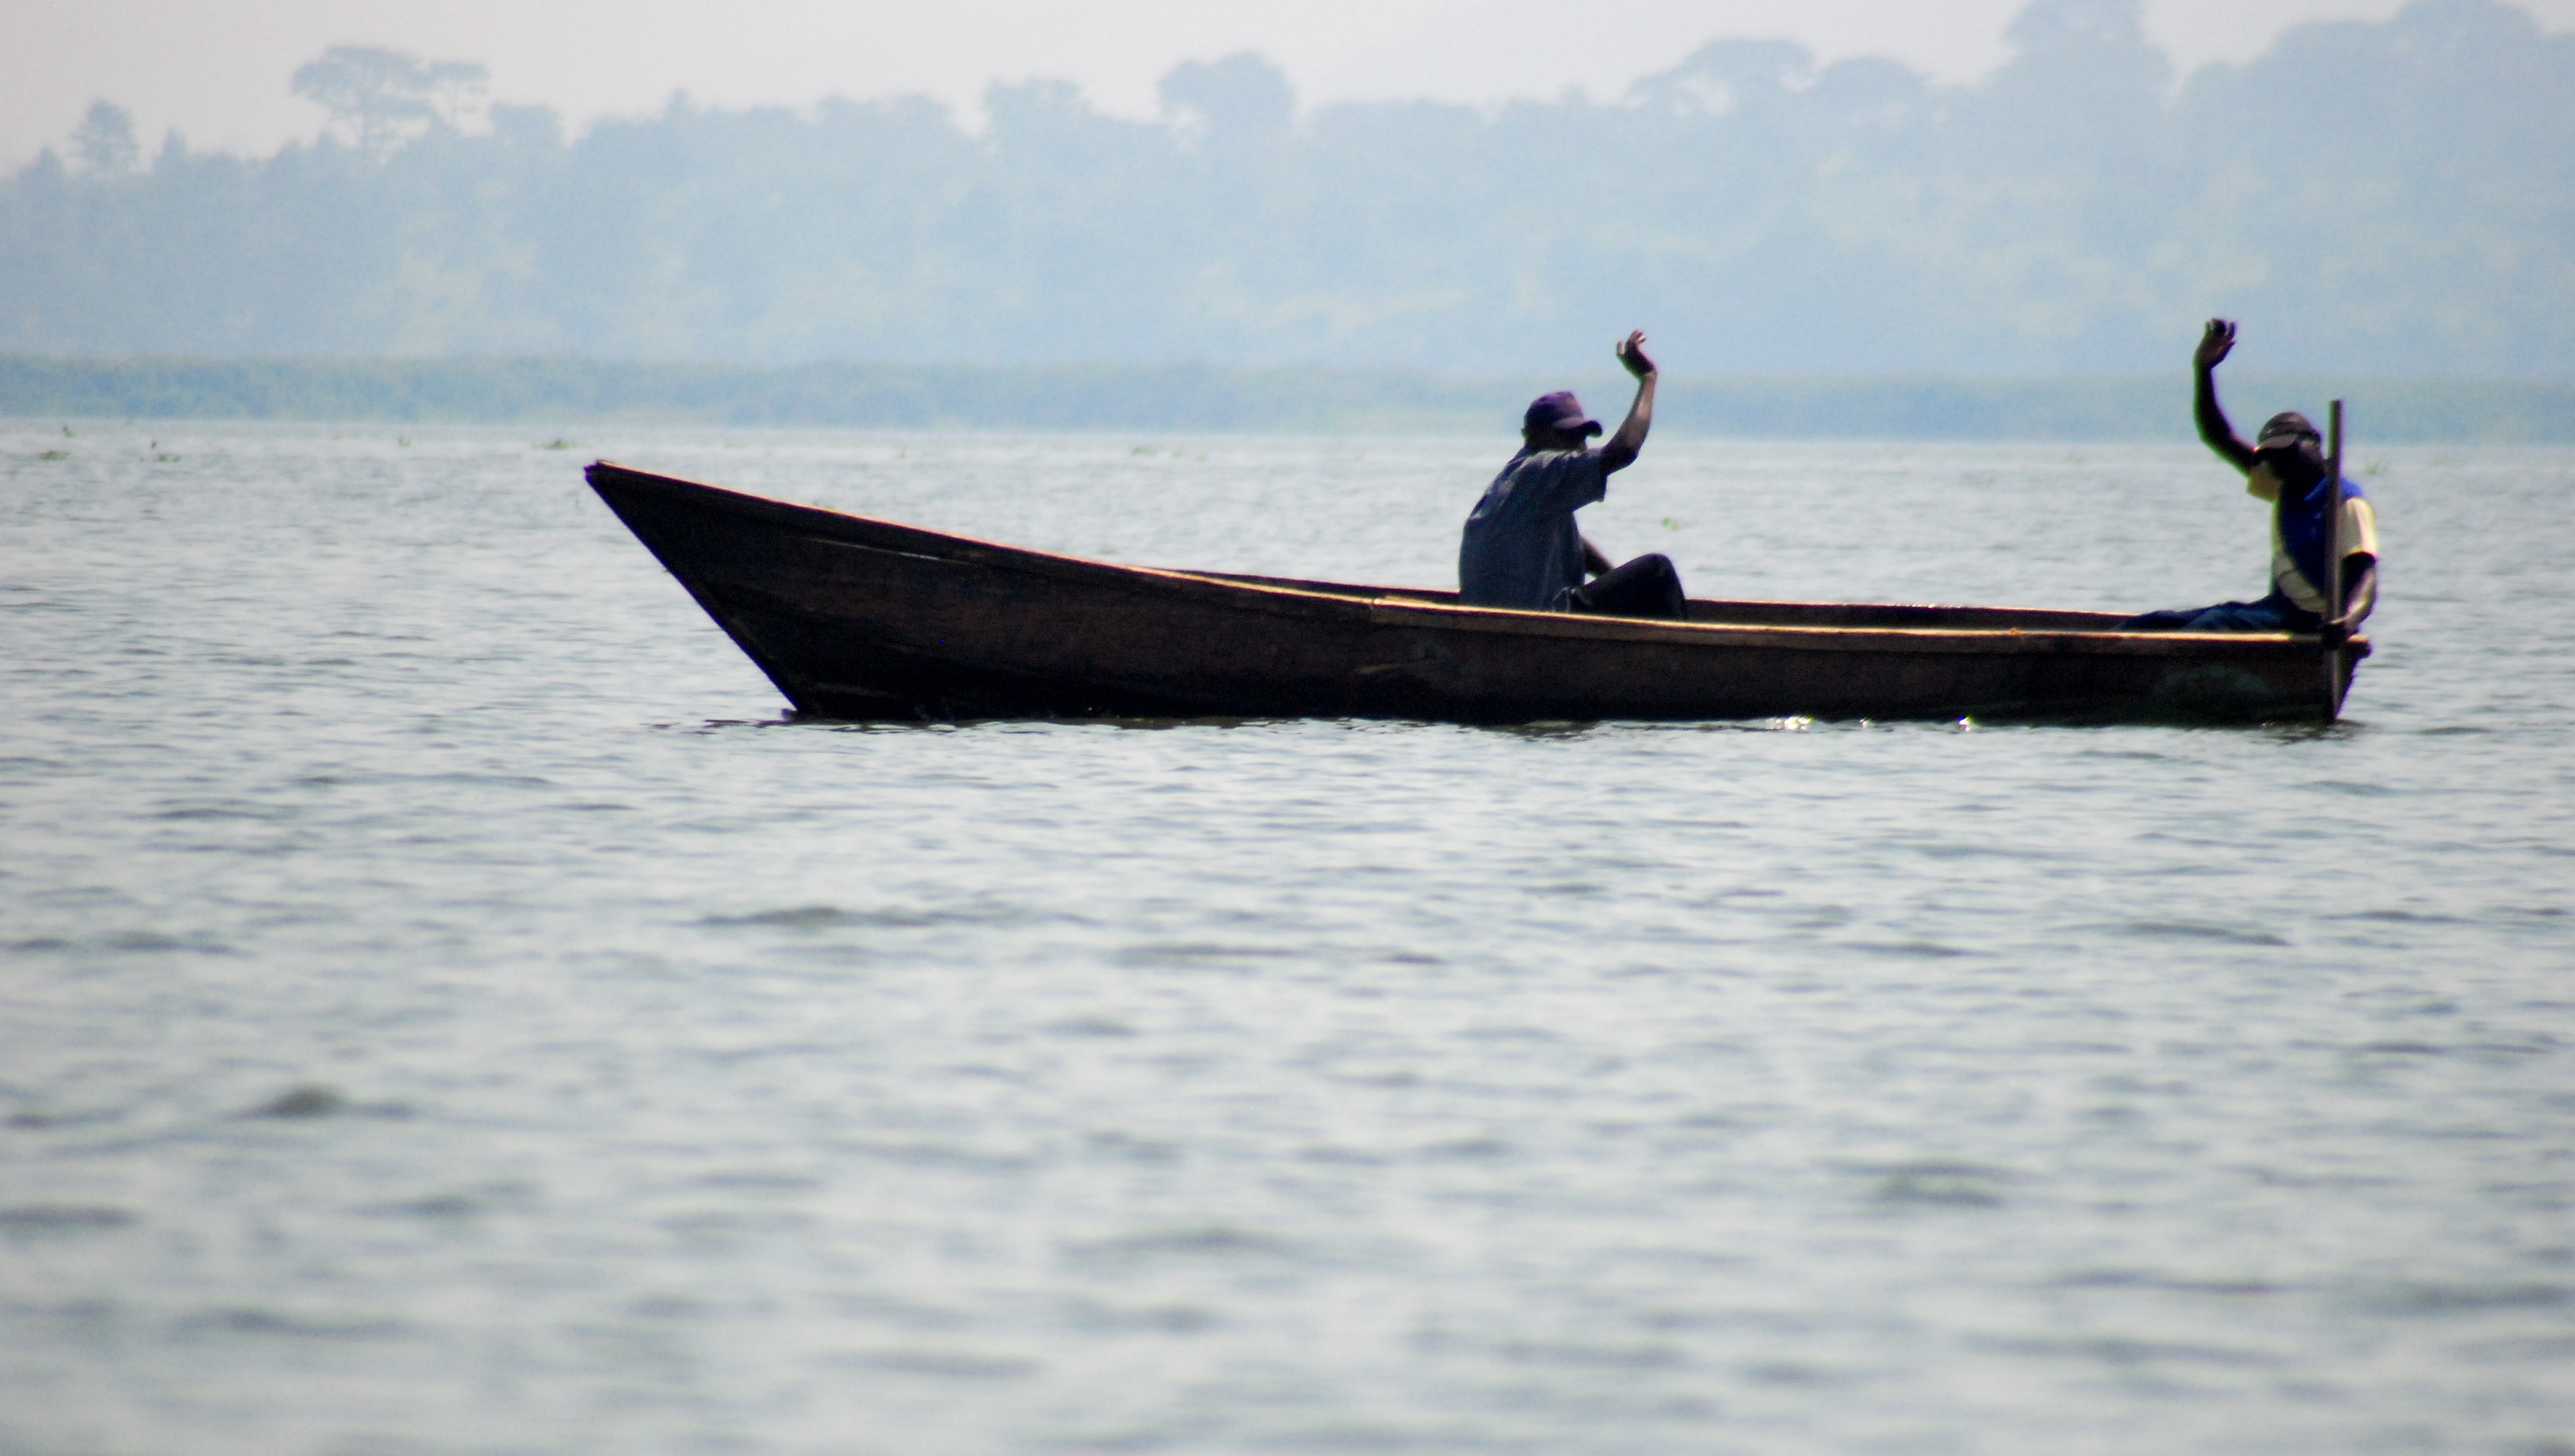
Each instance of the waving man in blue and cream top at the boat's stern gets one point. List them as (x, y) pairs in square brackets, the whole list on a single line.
[(2285, 468)]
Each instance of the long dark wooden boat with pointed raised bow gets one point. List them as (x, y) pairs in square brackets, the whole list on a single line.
[(869, 620)]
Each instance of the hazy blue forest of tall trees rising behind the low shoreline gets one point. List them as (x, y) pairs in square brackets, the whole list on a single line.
[(2370, 197)]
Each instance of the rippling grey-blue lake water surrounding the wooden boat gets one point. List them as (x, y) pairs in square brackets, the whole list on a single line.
[(449, 1006)]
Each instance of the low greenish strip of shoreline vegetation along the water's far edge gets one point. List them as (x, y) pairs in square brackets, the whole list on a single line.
[(1196, 398)]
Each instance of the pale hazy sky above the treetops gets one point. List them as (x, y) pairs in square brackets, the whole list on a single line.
[(218, 68)]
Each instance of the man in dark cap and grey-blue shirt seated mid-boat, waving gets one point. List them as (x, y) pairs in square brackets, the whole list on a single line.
[(1521, 542)]
